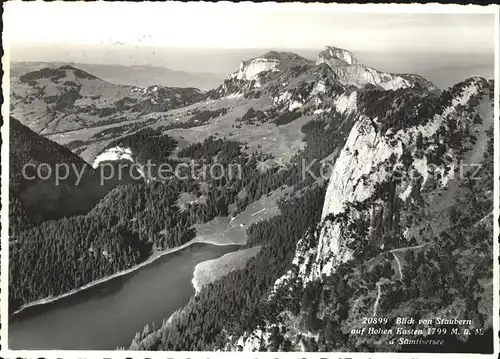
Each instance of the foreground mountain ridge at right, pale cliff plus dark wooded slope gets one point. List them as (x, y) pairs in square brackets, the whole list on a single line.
[(355, 209)]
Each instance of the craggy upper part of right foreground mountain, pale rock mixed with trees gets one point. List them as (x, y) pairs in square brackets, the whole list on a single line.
[(376, 149)]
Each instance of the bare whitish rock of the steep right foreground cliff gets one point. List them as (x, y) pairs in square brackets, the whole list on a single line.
[(362, 164)]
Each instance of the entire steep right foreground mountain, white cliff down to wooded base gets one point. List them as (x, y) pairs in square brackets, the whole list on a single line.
[(401, 212)]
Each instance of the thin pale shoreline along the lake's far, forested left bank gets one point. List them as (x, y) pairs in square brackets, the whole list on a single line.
[(155, 256)]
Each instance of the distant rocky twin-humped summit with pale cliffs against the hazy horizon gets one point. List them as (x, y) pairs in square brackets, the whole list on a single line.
[(275, 72)]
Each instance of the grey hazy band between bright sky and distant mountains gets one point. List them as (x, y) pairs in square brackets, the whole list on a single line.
[(444, 68)]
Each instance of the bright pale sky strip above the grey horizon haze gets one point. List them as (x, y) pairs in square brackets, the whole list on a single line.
[(243, 26)]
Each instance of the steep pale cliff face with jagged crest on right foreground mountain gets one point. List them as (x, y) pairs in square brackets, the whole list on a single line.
[(371, 157)]
